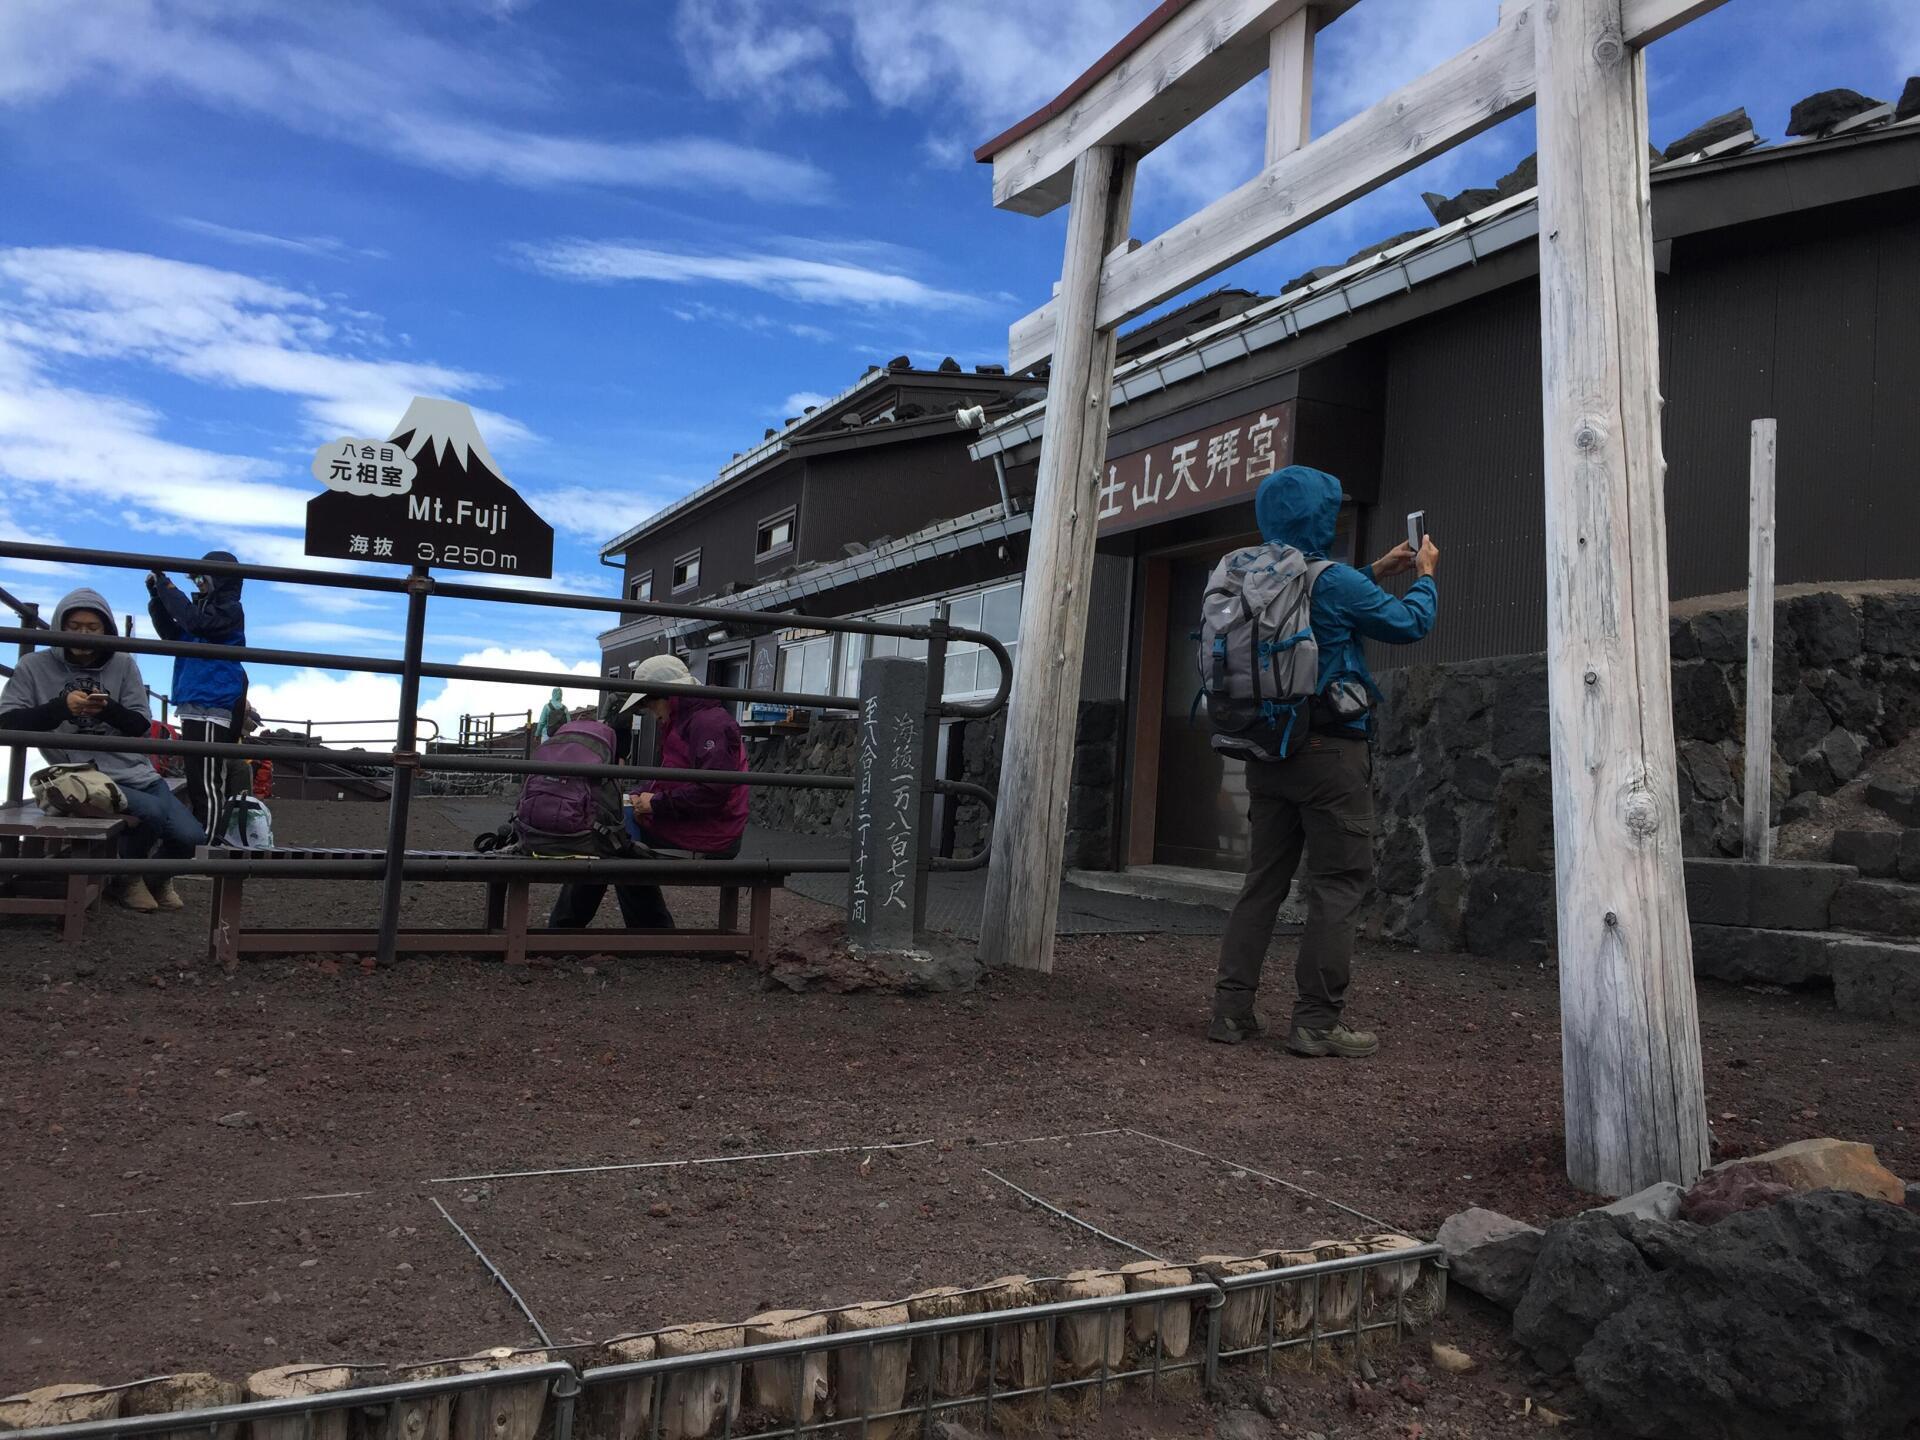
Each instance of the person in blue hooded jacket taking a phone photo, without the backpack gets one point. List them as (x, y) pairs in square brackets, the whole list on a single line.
[(1320, 800)]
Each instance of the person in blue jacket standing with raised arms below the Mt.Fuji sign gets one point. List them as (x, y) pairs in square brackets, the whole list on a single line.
[(208, 696)]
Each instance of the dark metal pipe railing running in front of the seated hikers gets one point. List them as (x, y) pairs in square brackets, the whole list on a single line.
[(408, 757)]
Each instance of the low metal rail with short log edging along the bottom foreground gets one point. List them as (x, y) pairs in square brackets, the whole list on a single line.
[(1362, 1295)]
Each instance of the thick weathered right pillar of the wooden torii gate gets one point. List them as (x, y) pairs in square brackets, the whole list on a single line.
[(1629, 1024)]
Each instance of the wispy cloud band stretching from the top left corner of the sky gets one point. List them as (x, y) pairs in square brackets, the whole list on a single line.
[(410, 95)]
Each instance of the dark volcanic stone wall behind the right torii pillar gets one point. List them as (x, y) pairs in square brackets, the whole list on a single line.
[(1466, 800)]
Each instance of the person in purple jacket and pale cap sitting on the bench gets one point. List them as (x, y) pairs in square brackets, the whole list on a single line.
[(673, 815)]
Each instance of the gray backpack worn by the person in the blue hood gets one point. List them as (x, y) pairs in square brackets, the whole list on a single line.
[(1259, 658)]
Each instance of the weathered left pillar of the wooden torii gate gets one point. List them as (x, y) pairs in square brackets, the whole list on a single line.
[(1042, 721)]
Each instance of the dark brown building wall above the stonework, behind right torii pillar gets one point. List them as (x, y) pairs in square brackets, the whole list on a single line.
[(1812, 320)]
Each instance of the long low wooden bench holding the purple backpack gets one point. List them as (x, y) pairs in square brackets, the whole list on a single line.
[(506, 926)]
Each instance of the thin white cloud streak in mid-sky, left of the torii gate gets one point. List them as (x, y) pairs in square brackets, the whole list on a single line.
[(832, 276)]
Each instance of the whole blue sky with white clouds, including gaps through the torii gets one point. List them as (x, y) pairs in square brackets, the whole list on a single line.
[(629, 233)]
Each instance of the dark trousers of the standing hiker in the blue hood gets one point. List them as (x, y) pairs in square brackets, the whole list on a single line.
[(1320, 802)]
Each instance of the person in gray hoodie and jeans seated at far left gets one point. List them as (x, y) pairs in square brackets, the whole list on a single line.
[(95, 692)]
